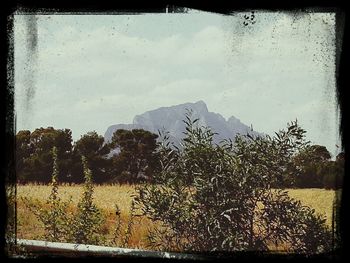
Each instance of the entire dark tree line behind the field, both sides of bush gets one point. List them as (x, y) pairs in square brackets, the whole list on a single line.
[(134, 156)]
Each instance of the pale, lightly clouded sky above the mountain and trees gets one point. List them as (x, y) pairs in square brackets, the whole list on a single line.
[(87, 72)]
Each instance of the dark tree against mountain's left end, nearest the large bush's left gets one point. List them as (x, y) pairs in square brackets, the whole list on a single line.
[(137, 159)]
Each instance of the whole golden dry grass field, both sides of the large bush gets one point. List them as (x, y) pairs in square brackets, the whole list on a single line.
[(106, 196)]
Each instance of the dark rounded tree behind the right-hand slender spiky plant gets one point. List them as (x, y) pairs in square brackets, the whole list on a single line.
[(92, 146)]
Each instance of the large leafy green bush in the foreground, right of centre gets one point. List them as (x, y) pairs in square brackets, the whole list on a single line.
[(212, 197)]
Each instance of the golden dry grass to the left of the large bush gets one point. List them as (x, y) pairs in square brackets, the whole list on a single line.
[(105, 197)]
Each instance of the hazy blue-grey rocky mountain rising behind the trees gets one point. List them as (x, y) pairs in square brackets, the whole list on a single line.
[(170, 119)]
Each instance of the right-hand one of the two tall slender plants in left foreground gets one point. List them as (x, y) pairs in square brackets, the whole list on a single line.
[(88, 220)]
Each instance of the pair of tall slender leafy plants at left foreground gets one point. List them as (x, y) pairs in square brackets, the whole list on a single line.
[(61, 225)]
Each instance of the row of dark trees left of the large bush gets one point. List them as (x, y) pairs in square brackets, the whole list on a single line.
[(136, 161)]
